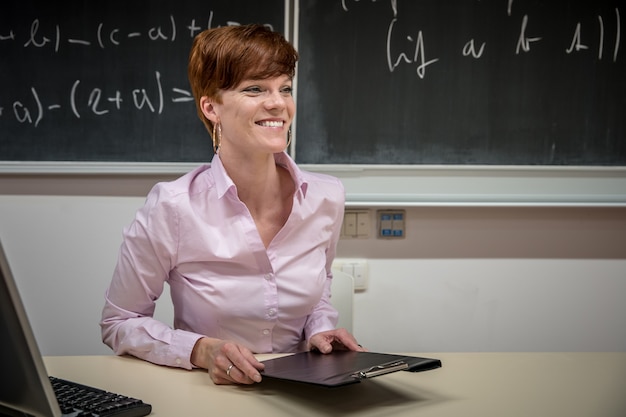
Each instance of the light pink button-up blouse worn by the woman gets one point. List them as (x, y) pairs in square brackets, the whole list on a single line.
[(195, 234)]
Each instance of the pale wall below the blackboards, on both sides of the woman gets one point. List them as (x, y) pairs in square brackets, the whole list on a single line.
[(464, 279)]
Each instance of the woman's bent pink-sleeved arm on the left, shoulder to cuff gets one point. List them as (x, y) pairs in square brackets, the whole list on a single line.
[(146, 256)]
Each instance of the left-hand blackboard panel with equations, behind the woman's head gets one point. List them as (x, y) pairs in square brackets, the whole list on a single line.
[(107, 80)]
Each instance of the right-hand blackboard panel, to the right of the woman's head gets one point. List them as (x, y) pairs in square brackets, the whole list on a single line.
[(494, 82)]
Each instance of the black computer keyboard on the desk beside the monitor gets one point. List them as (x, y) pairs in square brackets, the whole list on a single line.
[(78, 400)]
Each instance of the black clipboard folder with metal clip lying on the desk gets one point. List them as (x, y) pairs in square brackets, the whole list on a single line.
[(342, 367)]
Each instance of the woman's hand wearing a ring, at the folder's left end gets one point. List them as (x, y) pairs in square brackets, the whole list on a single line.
[(227, 362)]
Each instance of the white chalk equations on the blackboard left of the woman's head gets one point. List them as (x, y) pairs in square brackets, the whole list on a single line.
[(81, 98)]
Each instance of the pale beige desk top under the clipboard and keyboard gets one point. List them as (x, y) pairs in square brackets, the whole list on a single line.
[(468, 384)]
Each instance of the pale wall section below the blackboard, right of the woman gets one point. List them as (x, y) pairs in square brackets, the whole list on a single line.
[(497, 279)]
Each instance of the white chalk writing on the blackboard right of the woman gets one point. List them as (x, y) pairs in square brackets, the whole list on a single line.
[(416, 54)]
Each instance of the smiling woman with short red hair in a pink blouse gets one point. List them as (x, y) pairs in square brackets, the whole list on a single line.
[(246, 244)]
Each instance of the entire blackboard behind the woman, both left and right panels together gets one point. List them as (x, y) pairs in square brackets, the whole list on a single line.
[(455, 82)]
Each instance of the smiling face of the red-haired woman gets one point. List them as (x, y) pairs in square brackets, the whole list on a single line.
[(255, 115)]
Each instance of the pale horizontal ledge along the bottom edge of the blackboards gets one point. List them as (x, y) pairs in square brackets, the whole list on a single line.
[(409, 186)]
